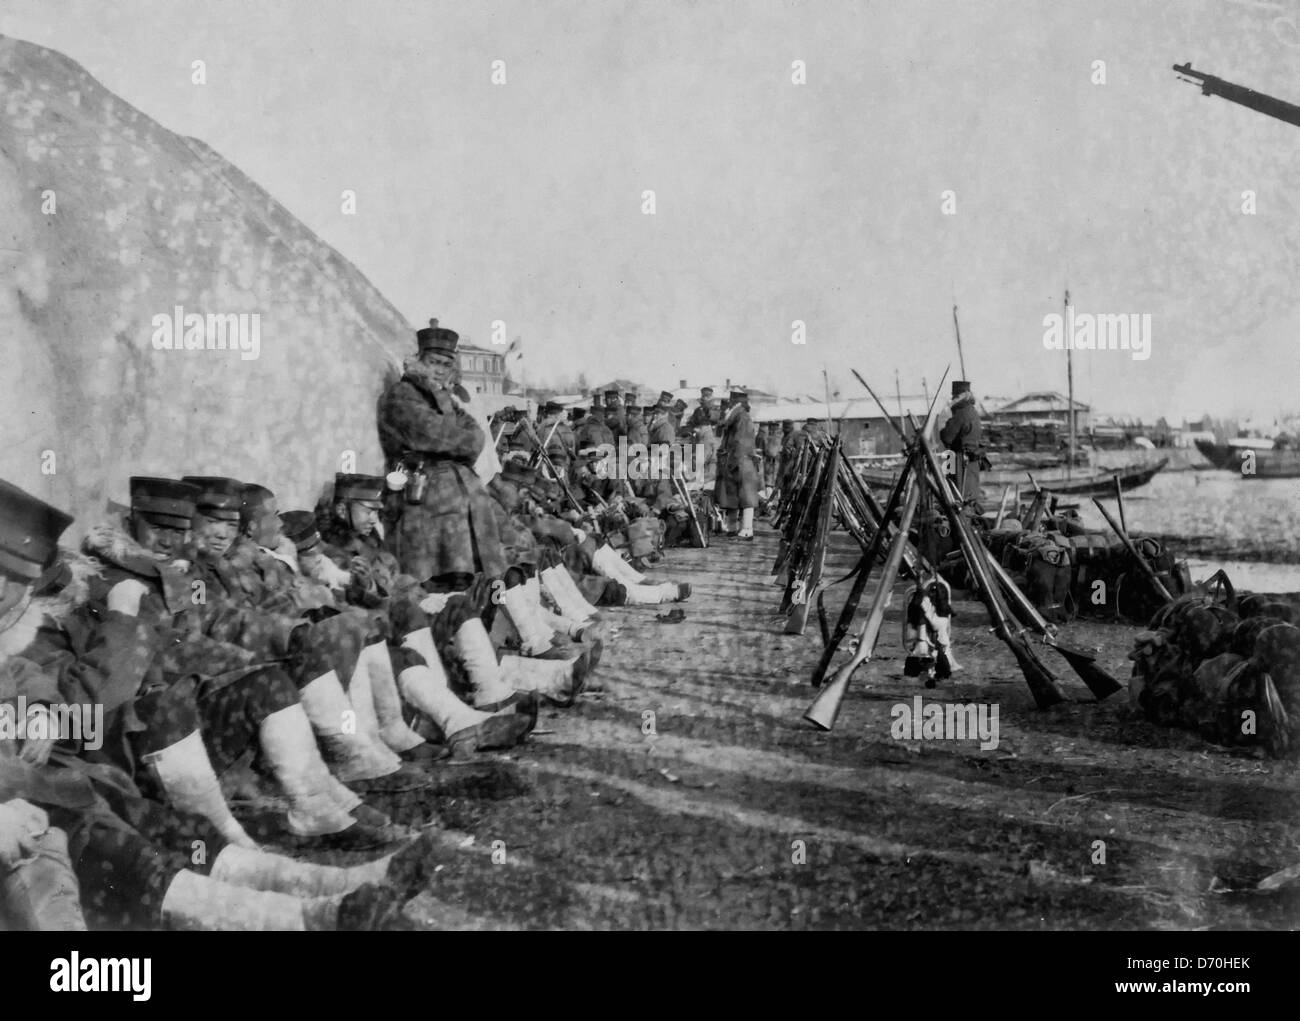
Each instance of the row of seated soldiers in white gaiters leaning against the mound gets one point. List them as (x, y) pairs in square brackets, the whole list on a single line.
[(213, 629)]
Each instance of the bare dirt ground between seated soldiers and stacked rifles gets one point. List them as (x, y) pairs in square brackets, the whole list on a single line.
[(690, 794)]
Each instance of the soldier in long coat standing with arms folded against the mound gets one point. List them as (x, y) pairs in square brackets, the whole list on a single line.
[(449, 530)]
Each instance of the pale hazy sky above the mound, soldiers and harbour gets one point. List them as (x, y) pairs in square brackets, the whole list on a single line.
[(775, 202)]
